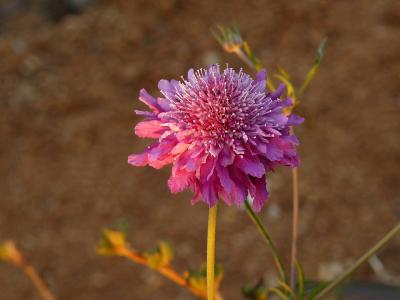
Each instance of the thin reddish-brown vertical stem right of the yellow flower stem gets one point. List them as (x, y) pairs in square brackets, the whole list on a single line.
[(295, 232)]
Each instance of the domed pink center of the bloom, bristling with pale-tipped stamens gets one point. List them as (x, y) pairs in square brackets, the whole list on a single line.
[(220, 109)]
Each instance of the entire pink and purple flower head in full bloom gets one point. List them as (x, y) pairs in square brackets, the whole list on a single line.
[(221, 131)]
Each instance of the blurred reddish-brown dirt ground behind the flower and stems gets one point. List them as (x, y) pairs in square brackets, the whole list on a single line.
[(69, 85)]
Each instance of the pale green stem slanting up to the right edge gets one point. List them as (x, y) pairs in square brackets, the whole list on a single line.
[(389, 236)]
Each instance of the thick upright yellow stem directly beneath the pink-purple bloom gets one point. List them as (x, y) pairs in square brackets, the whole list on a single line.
[(212, 222)]
